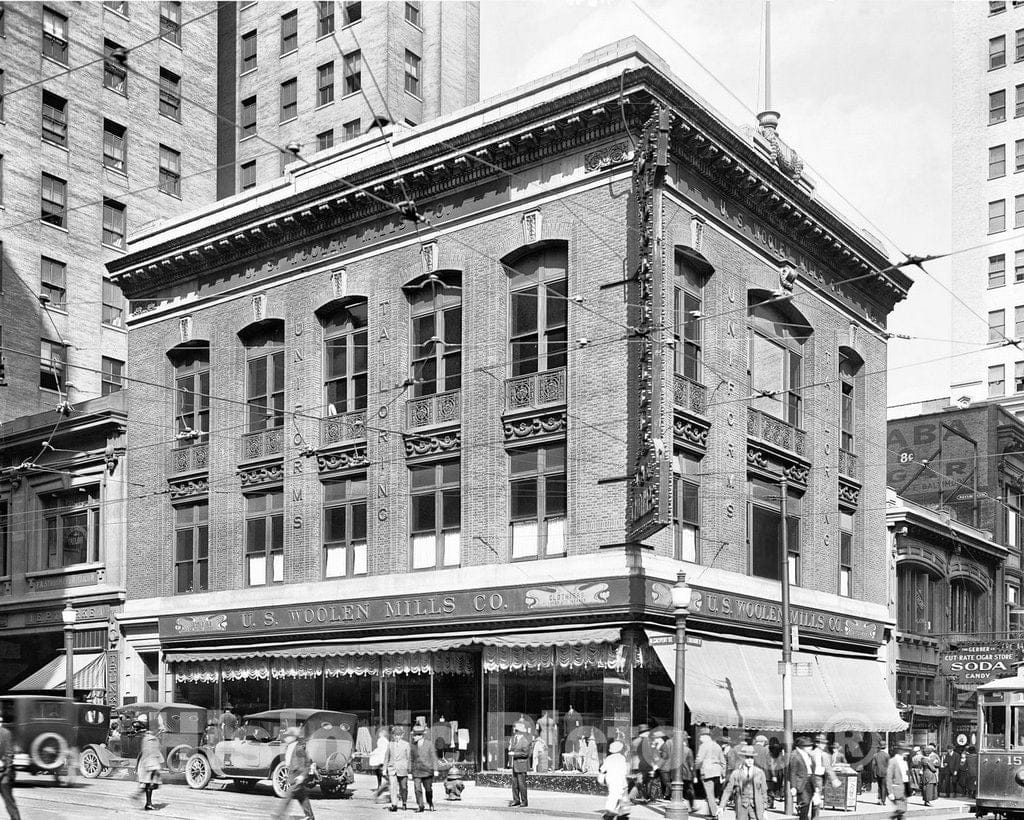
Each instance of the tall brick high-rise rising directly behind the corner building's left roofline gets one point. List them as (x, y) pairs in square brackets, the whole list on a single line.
[(314, 75)]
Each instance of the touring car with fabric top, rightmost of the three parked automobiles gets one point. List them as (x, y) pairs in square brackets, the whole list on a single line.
[(258, 752)]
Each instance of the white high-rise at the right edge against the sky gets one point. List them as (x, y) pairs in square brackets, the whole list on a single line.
[(989, 204)]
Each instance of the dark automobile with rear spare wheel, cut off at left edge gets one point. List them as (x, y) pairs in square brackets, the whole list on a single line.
[(50, 731)]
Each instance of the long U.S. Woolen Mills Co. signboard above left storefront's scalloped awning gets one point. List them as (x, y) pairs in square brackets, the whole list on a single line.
[(358, 614)]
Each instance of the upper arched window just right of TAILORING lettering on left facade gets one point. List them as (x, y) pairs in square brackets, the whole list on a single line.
[(437, 336)]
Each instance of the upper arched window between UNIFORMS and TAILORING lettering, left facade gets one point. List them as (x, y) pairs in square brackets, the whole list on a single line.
[(346, 340)]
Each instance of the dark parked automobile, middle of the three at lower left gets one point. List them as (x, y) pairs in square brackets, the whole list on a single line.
[(180, 728)]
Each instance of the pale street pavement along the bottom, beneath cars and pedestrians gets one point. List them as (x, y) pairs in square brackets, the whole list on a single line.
[(106, 799)]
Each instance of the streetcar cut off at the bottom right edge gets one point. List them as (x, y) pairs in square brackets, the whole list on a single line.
[(1001, 748)]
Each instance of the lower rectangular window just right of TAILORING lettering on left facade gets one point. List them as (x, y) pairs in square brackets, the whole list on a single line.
[(436, 514)]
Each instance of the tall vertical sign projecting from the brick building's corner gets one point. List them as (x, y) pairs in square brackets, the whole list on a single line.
[(650, 498)]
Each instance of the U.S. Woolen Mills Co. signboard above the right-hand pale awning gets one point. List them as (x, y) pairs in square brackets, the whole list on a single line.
[(716, 606)]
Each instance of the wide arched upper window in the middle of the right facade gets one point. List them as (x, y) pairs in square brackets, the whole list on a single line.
[(777, 360)]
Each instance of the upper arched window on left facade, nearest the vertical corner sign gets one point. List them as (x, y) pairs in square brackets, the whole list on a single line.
[(539, 321)]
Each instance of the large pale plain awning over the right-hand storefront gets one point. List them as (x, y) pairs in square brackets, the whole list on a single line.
[(737, 685)]
